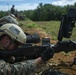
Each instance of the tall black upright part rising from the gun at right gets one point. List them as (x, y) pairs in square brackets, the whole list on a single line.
[(67, 24)]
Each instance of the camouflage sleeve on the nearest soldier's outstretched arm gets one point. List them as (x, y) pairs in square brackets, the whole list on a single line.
[(20, 68)]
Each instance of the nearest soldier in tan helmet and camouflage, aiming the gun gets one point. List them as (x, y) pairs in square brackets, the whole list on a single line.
[(12, 37)]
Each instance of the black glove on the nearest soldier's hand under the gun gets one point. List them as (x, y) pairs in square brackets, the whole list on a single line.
[(47, 54)]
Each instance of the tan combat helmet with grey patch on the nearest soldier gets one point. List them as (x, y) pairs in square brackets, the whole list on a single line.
[(13, 31)]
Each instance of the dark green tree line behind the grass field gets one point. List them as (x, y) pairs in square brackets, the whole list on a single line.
[(45, 12)]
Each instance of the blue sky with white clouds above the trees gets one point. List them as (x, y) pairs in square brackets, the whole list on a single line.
[(5, 5)]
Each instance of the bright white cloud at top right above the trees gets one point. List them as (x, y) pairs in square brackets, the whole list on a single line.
[(64, 2)]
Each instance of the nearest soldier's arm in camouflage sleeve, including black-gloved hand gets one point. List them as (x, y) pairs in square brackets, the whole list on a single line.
[(25, 67)]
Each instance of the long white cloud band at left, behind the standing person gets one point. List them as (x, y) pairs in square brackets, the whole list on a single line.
[(19, 7)]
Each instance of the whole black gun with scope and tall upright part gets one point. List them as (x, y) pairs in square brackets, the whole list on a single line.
[(31, 52)]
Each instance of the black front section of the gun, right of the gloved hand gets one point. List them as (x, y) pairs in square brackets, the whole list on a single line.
[(65, 46)]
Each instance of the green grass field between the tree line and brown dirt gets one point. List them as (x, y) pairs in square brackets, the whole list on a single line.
[(50, 27)]
